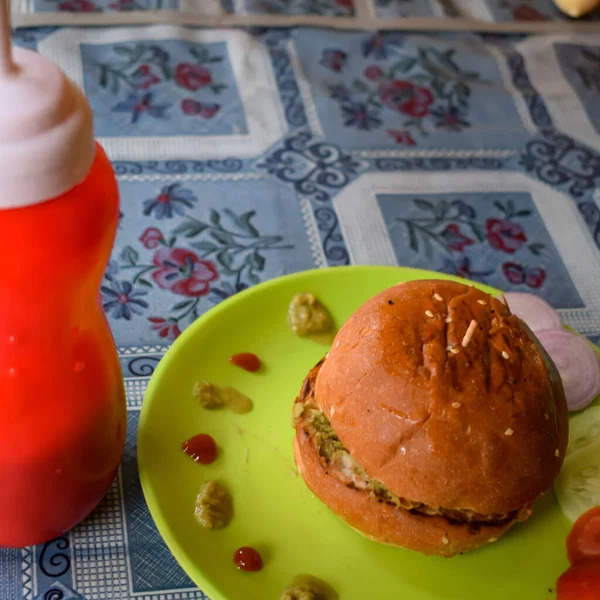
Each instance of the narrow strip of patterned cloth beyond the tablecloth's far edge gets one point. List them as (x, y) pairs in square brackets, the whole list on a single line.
[(500, 15)]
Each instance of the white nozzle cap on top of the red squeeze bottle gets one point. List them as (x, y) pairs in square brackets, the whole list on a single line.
[(46, 126)]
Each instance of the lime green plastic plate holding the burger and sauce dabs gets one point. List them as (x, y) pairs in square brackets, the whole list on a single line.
[(274, 511)]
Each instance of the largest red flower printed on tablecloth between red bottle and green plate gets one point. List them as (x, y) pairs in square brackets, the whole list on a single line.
[(182, 272)]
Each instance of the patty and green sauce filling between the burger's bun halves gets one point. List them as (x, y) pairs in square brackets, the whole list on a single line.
[(341, 464)]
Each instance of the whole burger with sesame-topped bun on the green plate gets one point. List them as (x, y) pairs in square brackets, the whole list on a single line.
[(435, 420)]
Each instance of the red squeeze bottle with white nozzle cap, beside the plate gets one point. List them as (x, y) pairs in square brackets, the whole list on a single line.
[(62, 402)]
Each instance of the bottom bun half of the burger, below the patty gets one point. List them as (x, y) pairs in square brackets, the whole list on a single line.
[(384, 523)]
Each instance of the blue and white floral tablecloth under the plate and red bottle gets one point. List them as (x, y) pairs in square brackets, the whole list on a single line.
[(243, 154)]
